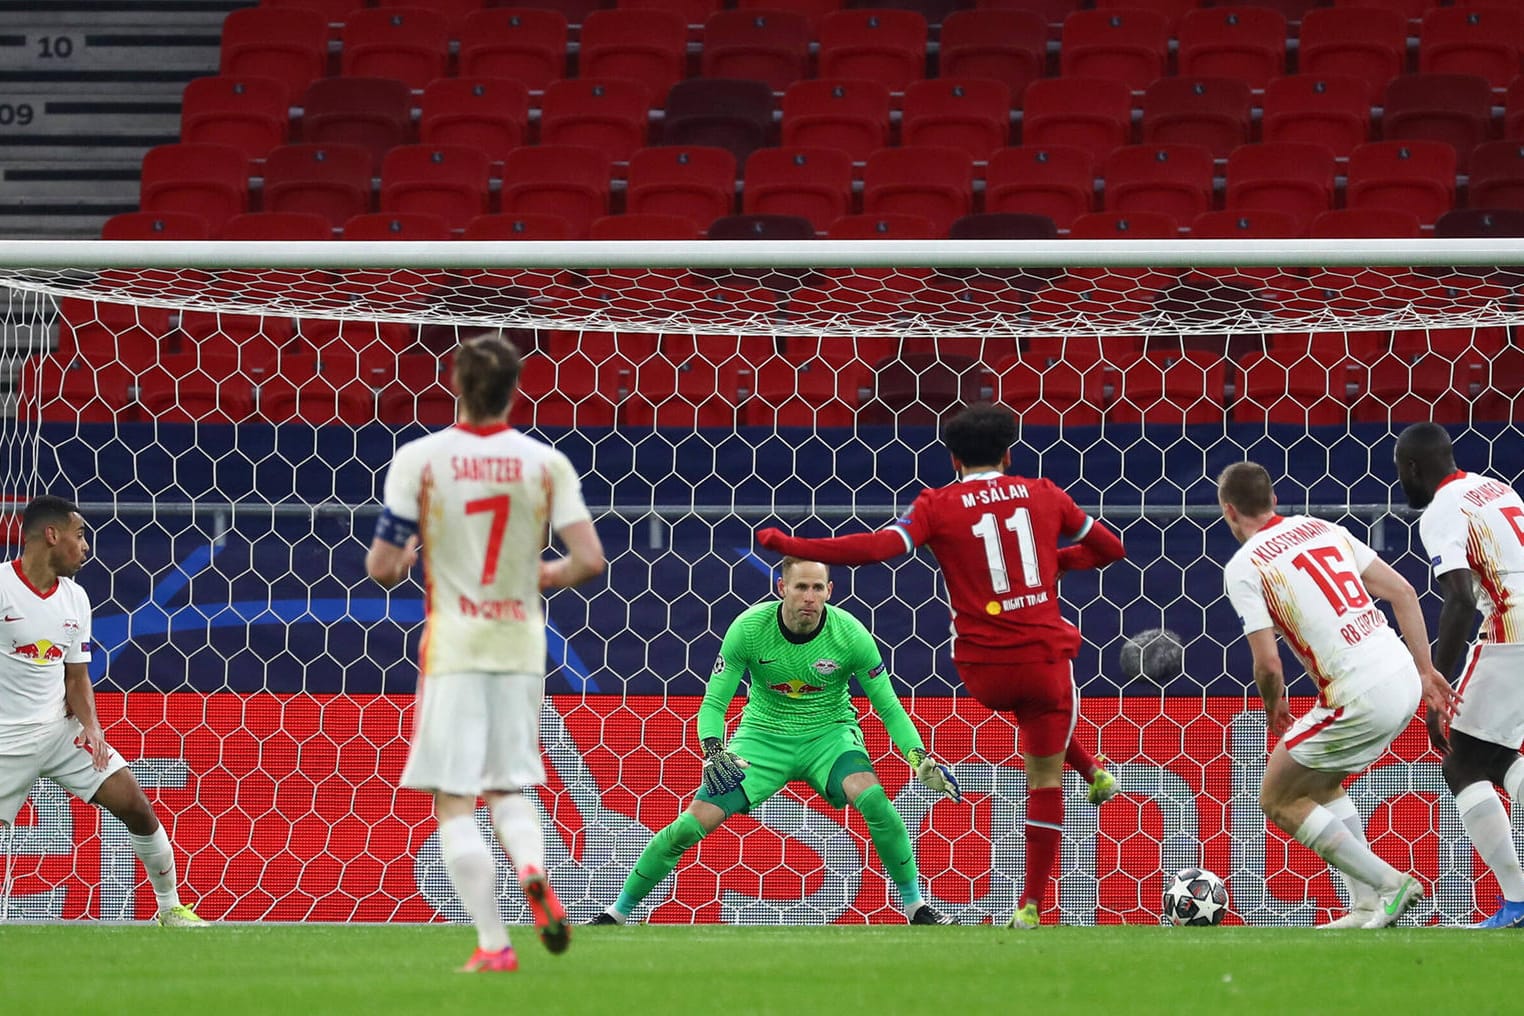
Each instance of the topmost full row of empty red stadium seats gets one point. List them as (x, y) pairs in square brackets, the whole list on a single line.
[(891, 46)]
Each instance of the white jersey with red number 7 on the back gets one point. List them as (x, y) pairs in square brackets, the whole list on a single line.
[(485, 502)]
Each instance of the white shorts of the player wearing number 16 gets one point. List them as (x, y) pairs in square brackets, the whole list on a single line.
[(1353, 736)]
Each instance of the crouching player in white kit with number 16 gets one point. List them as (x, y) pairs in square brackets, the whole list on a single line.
[(1314, 583)]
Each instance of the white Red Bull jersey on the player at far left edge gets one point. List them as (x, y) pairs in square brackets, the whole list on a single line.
[(40, 631)]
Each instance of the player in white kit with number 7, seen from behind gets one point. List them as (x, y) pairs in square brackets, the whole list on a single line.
[(478, 502)]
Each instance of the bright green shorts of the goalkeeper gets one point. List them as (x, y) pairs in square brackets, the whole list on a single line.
[(822, 759)]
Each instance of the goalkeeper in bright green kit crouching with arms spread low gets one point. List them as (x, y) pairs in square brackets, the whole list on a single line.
[(799, 724)]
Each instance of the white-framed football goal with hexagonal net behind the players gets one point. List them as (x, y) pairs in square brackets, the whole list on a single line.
[(223, 412)]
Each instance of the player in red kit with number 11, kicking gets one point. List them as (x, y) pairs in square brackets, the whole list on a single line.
[(996, 538)]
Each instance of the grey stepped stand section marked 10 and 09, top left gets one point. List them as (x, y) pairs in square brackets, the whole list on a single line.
[(89, 86)]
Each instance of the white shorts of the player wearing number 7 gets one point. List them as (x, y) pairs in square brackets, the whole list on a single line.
[(476, 733)]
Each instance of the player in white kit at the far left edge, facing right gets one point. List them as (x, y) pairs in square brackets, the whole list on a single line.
[(48, 721)]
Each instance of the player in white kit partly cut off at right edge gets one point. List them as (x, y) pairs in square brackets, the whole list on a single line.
[(1473, 532)]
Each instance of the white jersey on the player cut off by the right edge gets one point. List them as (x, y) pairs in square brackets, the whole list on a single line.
[(1478, 523)]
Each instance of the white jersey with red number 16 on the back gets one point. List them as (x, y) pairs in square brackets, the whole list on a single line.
[(1301, 577)]
